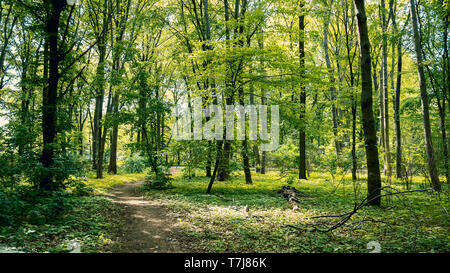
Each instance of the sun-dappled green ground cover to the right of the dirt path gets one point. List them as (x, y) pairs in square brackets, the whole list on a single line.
[(217, 223)]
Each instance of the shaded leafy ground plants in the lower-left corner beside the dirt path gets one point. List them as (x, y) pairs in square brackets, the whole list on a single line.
[(90, 220)]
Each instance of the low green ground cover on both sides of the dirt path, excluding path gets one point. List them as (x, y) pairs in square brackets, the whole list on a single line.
[(217, 223)]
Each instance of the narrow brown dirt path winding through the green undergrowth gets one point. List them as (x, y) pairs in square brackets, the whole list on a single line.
[(148, 226)]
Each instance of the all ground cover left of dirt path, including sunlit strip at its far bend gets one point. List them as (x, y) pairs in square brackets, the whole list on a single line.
[(48, 224)]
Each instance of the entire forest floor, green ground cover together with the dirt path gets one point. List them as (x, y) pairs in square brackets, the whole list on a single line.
[(120, 215)]
